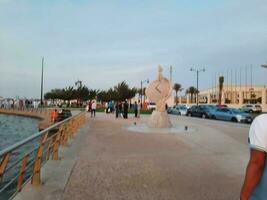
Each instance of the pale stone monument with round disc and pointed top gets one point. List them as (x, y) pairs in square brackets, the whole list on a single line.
[(159, 91)]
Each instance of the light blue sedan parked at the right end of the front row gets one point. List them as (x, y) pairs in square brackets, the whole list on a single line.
[(231, 114)]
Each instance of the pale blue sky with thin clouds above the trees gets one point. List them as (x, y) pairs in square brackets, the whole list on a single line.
[(106, 42)]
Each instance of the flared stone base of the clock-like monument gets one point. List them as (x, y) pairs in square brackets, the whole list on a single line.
[(159, 120)]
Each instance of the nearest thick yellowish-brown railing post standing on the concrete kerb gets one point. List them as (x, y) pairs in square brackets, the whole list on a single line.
[(36, 178)]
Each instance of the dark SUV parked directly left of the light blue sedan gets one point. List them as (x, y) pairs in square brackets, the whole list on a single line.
[(204, 111)]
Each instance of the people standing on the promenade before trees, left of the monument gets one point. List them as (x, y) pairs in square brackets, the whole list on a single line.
[(121, 109)]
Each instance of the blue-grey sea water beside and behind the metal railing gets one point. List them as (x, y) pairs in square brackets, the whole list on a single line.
[(14, 129)]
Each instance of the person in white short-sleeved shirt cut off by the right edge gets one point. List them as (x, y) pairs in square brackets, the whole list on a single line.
[(255, 184)]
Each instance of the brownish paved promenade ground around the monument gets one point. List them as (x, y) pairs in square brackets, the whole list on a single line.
[(116, 164)]
